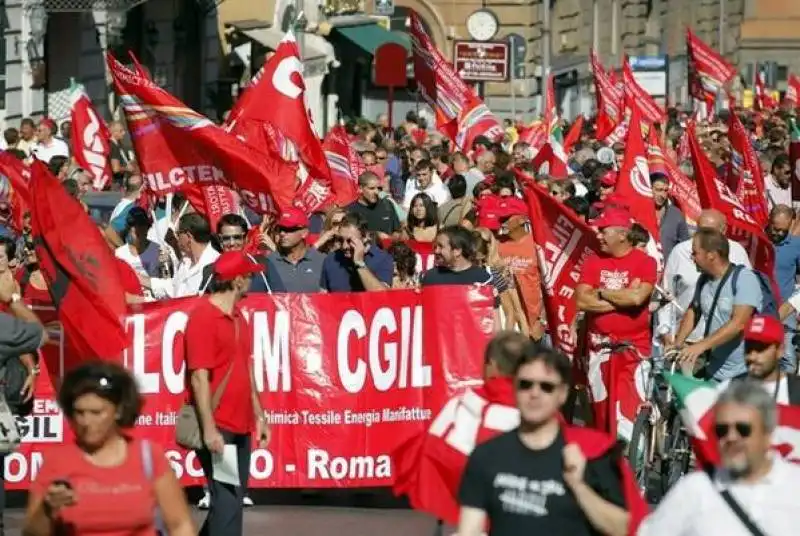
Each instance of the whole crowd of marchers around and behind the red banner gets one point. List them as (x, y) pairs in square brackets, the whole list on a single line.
[(702, 298)]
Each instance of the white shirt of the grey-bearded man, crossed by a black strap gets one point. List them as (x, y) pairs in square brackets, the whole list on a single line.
[(694, 506)]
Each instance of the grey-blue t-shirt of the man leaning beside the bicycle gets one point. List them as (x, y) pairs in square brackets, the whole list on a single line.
[(727, 360)]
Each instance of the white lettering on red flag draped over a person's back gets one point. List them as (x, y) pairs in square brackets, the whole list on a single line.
[(462, 418)]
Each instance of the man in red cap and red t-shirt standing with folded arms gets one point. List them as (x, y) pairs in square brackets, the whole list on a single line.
[(614, 291)]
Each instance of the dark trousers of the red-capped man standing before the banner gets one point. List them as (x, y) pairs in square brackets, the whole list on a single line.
[(226, 513)]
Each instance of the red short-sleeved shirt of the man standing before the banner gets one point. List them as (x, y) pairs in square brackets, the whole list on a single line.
[(213, 344)]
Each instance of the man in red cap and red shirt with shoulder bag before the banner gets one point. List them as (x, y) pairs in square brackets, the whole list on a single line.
[(222, 387)]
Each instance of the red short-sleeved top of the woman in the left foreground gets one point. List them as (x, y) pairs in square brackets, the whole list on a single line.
[(112, 501)]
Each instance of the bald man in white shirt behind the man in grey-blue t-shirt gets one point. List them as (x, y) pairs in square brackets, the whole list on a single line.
[(681, 274)]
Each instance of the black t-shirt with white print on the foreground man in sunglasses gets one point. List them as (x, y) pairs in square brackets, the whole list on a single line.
[(523, 491)]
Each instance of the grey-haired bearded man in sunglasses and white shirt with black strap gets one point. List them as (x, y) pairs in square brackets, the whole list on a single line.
[(752, 492)]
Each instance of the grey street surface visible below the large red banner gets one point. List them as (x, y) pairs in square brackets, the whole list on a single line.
[(296, 515)]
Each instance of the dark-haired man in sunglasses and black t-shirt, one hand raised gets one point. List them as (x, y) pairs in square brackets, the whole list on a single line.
[(536, 479)]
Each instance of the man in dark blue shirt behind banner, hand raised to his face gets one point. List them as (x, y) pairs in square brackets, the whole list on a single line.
[(359, 265)]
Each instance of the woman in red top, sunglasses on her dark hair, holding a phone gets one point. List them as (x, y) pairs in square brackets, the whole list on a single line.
[(106, 483)]
